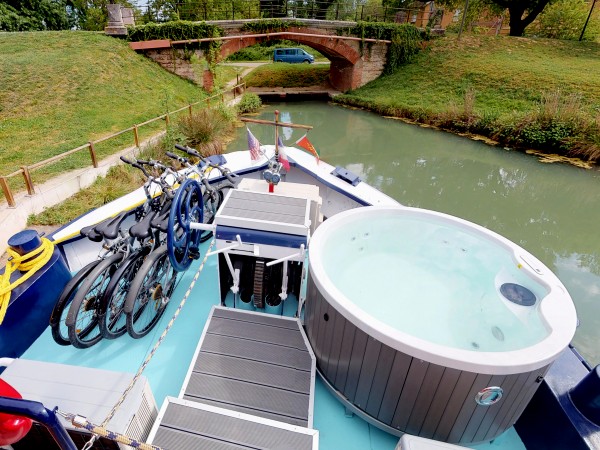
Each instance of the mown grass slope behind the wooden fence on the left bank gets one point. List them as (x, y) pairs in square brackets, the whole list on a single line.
[(59, 90)]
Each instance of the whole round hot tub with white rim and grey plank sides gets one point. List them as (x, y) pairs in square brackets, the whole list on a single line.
[(431, 325)]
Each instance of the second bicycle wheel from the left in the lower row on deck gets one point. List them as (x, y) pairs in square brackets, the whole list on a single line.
[(82, 319)]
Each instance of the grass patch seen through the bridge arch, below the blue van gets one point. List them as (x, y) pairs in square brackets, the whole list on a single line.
[(288, 75)]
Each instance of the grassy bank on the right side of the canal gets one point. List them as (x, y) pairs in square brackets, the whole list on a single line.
[(531, 93)]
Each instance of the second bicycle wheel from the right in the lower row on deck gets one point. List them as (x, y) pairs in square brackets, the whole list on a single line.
[(111, 314)]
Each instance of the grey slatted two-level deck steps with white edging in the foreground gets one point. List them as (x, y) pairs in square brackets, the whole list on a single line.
[(250, 386)]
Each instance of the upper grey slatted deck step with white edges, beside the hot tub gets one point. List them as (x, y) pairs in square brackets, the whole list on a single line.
[(256, 364)]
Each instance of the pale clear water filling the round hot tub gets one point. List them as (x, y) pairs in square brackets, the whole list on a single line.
[(434, 281)]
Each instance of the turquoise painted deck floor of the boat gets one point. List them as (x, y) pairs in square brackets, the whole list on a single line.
[(169, 366)]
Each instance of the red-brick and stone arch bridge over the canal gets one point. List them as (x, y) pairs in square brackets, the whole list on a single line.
[(353, 63)]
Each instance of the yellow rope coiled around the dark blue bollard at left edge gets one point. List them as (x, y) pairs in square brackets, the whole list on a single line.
[(29, 263)]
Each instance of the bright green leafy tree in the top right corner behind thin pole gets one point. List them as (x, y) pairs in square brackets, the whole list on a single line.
[(564, 19)]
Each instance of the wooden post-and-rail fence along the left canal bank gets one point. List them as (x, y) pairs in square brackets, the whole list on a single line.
[(25, 171)]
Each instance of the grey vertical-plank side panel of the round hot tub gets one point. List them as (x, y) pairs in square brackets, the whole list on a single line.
[(408, 394)]
